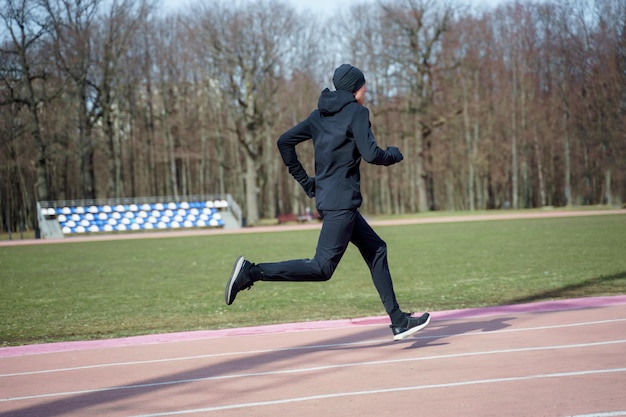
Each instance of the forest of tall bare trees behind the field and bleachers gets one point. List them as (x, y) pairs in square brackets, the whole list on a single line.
[(520, 105)]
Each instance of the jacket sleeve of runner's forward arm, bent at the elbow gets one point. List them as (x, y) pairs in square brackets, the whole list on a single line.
[(366, 143)]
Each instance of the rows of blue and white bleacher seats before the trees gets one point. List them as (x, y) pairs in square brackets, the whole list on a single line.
[(77, 219)]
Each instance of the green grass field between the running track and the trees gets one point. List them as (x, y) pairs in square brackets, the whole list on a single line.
[(105, 289)]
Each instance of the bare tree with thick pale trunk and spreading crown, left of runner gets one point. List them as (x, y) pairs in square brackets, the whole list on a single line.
[(244, 49)]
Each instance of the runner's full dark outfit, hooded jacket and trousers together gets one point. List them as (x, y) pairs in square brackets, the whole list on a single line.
[(341, 134)]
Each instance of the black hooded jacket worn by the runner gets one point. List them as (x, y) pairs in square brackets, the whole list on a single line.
[(340, 129)]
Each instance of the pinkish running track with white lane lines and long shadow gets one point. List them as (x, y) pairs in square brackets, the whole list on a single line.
[(560, 358)]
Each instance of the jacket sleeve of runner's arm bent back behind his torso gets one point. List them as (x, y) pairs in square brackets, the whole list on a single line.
[(287, 147)]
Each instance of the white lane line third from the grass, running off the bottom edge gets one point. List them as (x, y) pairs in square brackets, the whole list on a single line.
[(386, 391)]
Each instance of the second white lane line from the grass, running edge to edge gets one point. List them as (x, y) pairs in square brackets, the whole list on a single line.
[(313, 369)]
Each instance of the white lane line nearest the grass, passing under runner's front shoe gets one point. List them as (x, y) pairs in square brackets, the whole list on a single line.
[(311, 347)]
